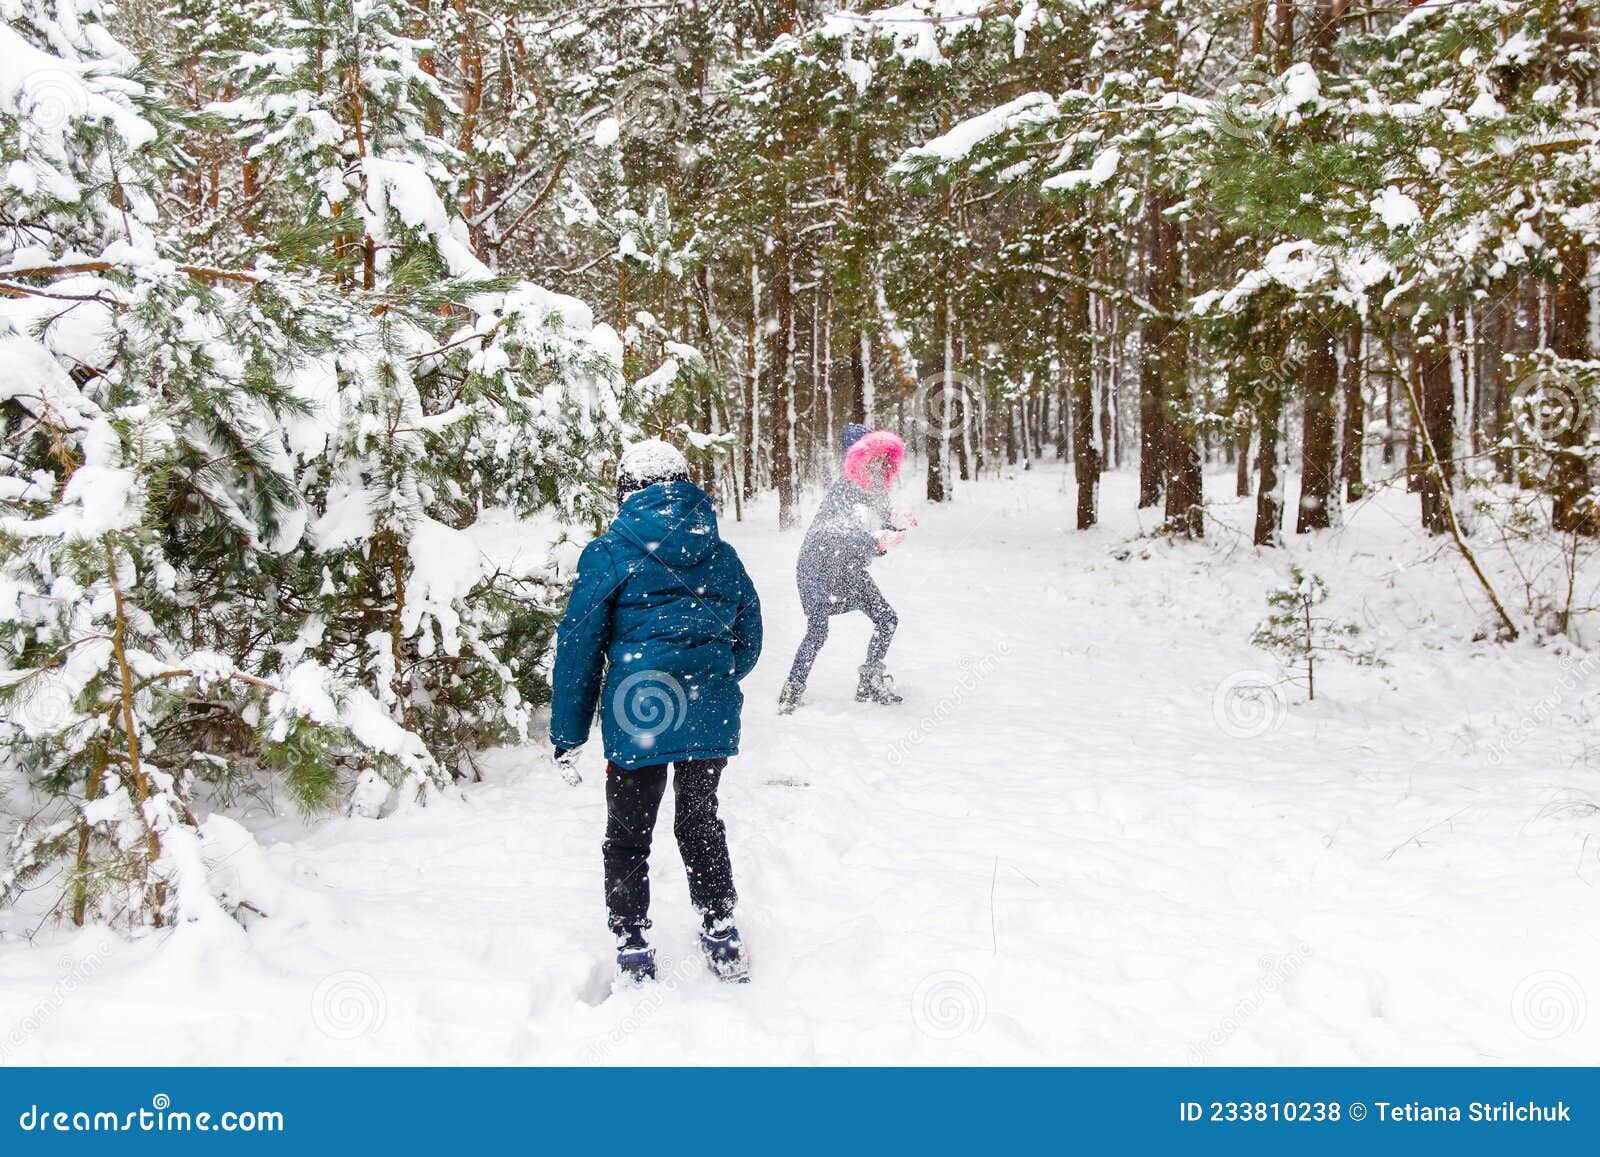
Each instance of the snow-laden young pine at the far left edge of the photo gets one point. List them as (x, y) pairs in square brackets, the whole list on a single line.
[(140, 401)]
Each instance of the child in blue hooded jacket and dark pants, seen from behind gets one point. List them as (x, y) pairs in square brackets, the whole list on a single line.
[(662, 627)]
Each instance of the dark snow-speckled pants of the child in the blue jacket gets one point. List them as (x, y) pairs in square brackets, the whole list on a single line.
[(633, 799)]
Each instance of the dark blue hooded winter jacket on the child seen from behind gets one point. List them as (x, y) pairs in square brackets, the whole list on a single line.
[(665, 615)]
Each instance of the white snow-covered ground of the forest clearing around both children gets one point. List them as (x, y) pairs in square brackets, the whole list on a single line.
[(1066, 847)]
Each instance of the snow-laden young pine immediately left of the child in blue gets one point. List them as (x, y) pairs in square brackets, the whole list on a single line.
[(457, 391)]
